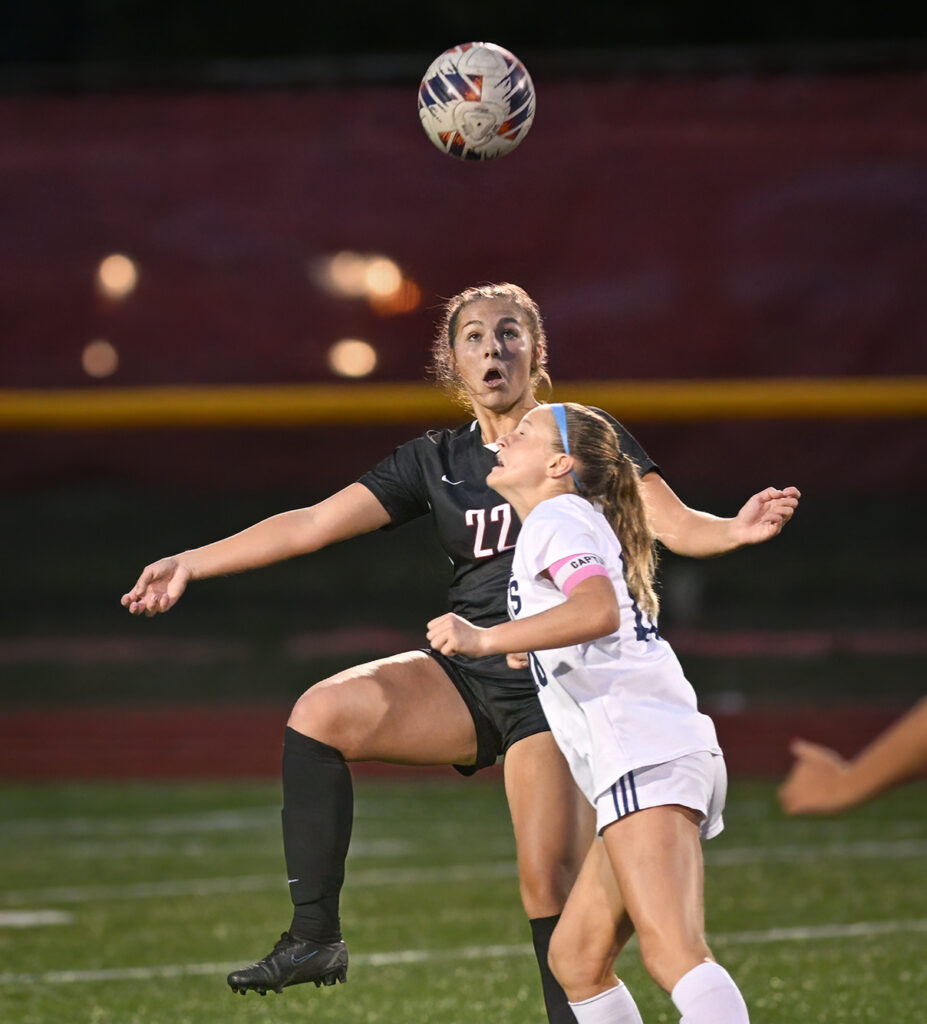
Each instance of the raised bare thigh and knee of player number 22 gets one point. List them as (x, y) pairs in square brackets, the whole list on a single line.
[(402, 709)]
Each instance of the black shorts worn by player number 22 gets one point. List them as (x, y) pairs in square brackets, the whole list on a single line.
[(502, 713)]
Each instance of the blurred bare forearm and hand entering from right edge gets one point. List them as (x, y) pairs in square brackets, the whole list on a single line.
[(822, 782)]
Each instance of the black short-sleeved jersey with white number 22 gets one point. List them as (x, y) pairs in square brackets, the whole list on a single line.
[(443, 474)]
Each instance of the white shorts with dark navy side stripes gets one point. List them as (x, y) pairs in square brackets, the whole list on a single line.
[(696, 781)]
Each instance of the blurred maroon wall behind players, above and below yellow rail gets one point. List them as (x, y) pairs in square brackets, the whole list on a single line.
[(669, 228)]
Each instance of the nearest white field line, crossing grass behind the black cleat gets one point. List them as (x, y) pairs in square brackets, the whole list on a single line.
[(863, 929)]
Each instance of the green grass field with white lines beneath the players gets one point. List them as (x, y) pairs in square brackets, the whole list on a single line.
[(159, 890)]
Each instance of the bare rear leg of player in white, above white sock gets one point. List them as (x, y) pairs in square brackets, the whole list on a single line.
[(593, 930)]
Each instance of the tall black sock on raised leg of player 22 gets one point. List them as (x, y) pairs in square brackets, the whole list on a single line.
[(318, 814)]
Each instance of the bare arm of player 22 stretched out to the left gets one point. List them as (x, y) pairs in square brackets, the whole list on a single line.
[(348, 514)]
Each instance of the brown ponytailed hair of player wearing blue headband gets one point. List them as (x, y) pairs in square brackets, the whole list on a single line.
[(609, 477)]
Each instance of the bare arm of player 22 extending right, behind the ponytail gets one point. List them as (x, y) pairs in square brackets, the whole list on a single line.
[(700, 535)]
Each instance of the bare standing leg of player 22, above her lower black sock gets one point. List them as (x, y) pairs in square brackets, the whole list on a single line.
[(553, 822)]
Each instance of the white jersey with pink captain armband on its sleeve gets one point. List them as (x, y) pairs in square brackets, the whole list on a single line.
[(619, 703)]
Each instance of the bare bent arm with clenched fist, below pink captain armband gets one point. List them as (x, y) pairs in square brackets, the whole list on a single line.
[(589, 613)]
